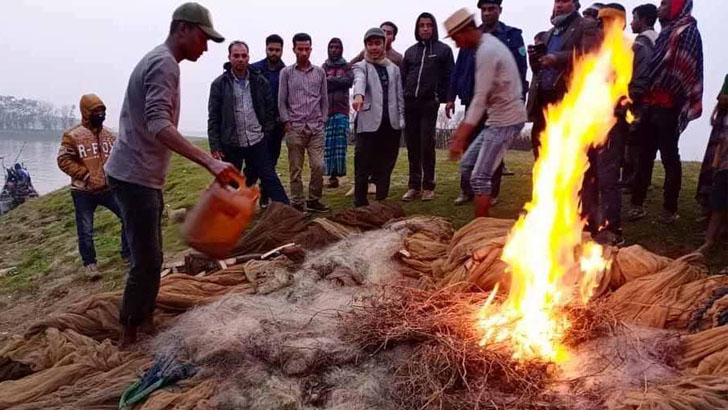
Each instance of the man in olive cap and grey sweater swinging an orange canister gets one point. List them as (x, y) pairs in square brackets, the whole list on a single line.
[(137, 167)]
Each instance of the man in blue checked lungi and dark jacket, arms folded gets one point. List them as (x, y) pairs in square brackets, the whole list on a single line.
[(339, 79)]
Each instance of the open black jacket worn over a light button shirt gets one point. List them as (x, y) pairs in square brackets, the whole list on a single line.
[(221, 127)]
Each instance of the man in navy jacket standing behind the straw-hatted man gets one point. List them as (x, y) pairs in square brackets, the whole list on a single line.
[(462, 80)]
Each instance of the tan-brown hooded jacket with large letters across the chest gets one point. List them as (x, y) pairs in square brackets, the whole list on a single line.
[(85, 150)]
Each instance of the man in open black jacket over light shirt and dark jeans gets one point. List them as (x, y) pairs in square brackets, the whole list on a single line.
[(241, 113)]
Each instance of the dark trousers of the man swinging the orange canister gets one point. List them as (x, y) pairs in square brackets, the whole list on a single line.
[(141, 209)]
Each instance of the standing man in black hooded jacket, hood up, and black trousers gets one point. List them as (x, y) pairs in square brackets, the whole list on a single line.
[(426, 69)]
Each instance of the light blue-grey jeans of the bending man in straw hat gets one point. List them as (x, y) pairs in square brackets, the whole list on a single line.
[(485, 155)]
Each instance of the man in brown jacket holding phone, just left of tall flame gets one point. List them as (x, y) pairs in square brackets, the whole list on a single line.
[(552, 65)]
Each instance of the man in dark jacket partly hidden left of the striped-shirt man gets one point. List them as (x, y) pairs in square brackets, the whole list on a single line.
[(271, 67)]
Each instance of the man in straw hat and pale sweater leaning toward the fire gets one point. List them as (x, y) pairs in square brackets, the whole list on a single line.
[(498, 92)]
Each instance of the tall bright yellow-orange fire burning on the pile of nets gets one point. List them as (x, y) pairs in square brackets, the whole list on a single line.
[(545, 243)]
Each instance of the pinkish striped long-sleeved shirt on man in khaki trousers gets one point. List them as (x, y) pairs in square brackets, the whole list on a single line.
[(302, 97)]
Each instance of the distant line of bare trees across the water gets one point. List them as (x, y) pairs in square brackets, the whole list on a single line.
[(26, 114)]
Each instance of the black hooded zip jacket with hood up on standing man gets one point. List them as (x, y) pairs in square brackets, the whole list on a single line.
[(426, 67)]
